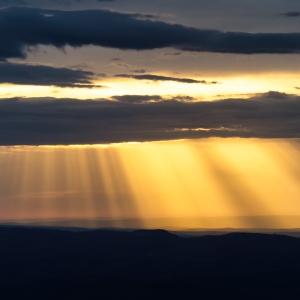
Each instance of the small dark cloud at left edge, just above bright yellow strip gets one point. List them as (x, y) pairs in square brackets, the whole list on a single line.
[(45, 75)]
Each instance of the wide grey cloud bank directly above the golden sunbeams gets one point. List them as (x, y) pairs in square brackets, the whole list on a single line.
[(70, 121)]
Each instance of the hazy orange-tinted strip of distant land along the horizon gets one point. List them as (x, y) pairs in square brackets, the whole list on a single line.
[(173, 224)]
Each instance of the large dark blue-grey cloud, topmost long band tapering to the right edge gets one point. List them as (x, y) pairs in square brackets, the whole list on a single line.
[(23, 27)]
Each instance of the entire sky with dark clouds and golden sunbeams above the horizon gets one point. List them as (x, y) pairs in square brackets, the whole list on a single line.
[(150, 109)]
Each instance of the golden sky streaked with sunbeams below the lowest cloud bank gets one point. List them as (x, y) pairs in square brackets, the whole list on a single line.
[(189, 179)]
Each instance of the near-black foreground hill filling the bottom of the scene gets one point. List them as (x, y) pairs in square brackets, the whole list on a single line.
[(54, 264)]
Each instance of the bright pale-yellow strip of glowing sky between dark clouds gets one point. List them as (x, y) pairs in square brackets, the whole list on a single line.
[(226, 87)]
